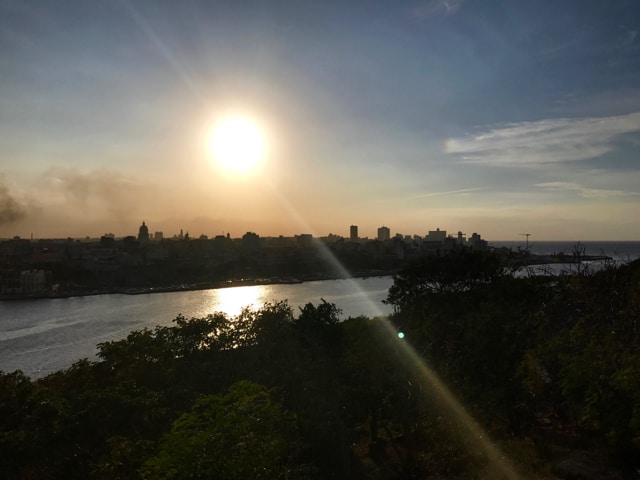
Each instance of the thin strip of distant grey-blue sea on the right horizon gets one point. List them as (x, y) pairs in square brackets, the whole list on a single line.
[(619, 251)]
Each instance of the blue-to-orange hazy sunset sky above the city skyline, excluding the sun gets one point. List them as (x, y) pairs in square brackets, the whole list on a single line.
[(495, 117)]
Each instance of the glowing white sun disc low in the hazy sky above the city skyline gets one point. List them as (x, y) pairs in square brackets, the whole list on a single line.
[(238, 145)]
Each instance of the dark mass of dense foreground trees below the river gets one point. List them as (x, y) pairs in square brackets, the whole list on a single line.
[(547, 365)]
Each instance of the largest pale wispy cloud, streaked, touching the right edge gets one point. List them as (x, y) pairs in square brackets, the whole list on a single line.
[(544, 141)]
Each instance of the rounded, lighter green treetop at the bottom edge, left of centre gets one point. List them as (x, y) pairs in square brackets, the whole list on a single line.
[(245, 433)]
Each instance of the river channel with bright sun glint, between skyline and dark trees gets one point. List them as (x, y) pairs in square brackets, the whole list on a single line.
[(43, 336)]
